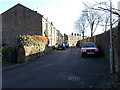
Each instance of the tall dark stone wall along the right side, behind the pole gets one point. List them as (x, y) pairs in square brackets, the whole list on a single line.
[(102, 40)]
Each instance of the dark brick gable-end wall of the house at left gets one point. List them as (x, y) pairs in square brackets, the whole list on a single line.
[(20, 20)]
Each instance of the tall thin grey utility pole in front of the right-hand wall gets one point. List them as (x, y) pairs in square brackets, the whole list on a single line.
[(111, 43)]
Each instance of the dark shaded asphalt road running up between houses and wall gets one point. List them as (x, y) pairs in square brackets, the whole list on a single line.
[(59, 69)]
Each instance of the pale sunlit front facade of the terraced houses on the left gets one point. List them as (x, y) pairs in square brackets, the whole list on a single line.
[(53, 34)]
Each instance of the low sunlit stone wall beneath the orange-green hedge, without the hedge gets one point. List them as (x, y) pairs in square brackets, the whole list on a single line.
[(30, 53)]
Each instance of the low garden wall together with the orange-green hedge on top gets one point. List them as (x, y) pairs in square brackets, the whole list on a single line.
[(31, 47)]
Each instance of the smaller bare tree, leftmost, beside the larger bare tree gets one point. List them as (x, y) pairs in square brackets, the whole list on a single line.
[(81, 25)]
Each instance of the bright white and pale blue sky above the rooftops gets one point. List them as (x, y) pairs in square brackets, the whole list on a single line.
[(63, 13)]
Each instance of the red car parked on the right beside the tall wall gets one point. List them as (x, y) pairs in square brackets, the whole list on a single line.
[(89, 48)]
